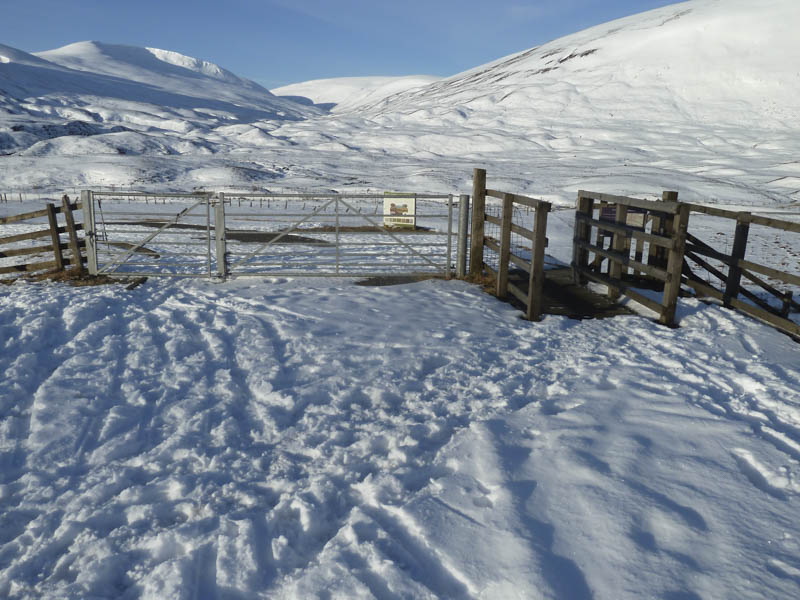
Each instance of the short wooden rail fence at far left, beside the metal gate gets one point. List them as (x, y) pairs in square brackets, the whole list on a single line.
[(10, 245)]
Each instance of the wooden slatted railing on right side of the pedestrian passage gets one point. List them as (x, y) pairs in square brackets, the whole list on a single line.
[(646, 239)]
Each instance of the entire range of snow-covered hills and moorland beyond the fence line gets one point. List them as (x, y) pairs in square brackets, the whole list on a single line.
[(699, 96)]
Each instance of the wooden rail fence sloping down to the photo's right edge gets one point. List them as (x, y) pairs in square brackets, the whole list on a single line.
[(734, 267)]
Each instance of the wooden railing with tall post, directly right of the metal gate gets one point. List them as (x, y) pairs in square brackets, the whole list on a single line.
[(532, 296)]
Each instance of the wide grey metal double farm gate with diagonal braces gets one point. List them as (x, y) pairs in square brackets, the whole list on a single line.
[(238, 235)]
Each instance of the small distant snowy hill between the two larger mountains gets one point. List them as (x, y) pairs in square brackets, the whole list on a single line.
[(346, 93)]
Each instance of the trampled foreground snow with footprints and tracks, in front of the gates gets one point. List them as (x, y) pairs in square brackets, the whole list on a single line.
[(296, 439)]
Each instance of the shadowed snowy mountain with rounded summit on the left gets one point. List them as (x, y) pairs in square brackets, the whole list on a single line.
[(128, 100)]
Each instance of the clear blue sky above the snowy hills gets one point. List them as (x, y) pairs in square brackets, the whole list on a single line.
[(276, 42)]
